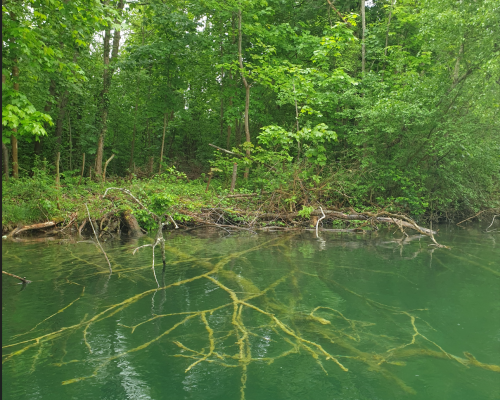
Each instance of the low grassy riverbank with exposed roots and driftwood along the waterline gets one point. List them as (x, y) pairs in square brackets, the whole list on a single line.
[(40, 205)]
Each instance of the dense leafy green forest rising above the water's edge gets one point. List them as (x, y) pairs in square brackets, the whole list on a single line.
[(373, 105)]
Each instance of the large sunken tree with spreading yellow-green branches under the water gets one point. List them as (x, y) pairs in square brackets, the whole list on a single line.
[(321, 332)]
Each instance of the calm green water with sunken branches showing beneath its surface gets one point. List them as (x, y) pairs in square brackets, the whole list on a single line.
[(391, 320)]
